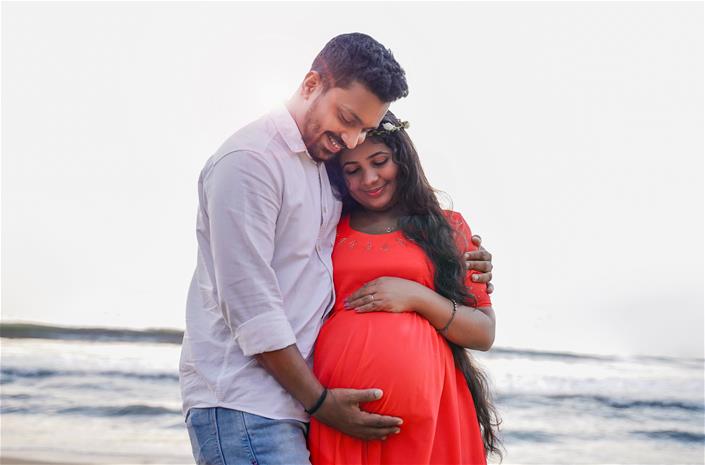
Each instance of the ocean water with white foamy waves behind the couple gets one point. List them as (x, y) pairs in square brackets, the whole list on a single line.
[(106, 396)]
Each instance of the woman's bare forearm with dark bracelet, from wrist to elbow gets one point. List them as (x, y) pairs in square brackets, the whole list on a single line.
[(472, 328)]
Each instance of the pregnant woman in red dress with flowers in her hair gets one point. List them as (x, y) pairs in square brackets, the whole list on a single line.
[(405, 310)]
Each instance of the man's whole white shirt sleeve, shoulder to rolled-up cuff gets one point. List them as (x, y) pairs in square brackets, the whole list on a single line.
[(242, 196)]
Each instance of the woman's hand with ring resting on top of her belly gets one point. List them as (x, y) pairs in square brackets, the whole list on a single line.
[(386, 294)]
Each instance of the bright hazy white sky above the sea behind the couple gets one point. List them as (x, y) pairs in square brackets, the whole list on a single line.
[(569, 135)]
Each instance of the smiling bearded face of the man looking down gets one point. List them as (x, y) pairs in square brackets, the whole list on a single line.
[(340, 118)]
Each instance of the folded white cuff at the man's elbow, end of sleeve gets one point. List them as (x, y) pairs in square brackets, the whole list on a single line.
[(265, 333)]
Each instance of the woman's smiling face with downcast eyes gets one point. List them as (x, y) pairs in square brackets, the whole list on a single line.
[(370, 174)]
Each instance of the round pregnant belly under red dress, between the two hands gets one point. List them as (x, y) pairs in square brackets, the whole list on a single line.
[(400, 353)]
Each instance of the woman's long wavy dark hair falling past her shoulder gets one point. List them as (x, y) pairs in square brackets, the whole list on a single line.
[(427, 226)]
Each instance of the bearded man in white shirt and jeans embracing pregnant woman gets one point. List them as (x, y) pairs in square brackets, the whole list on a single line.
[(263, 284)]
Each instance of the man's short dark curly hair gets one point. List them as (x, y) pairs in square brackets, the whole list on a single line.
[(358, 57)]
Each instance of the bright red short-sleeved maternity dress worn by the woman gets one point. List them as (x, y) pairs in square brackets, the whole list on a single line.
[(400, 353)]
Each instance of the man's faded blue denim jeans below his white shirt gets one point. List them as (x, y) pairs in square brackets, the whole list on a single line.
[(221, 436)]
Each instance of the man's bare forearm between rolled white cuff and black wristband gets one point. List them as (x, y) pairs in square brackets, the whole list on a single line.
[(290, 370)]
